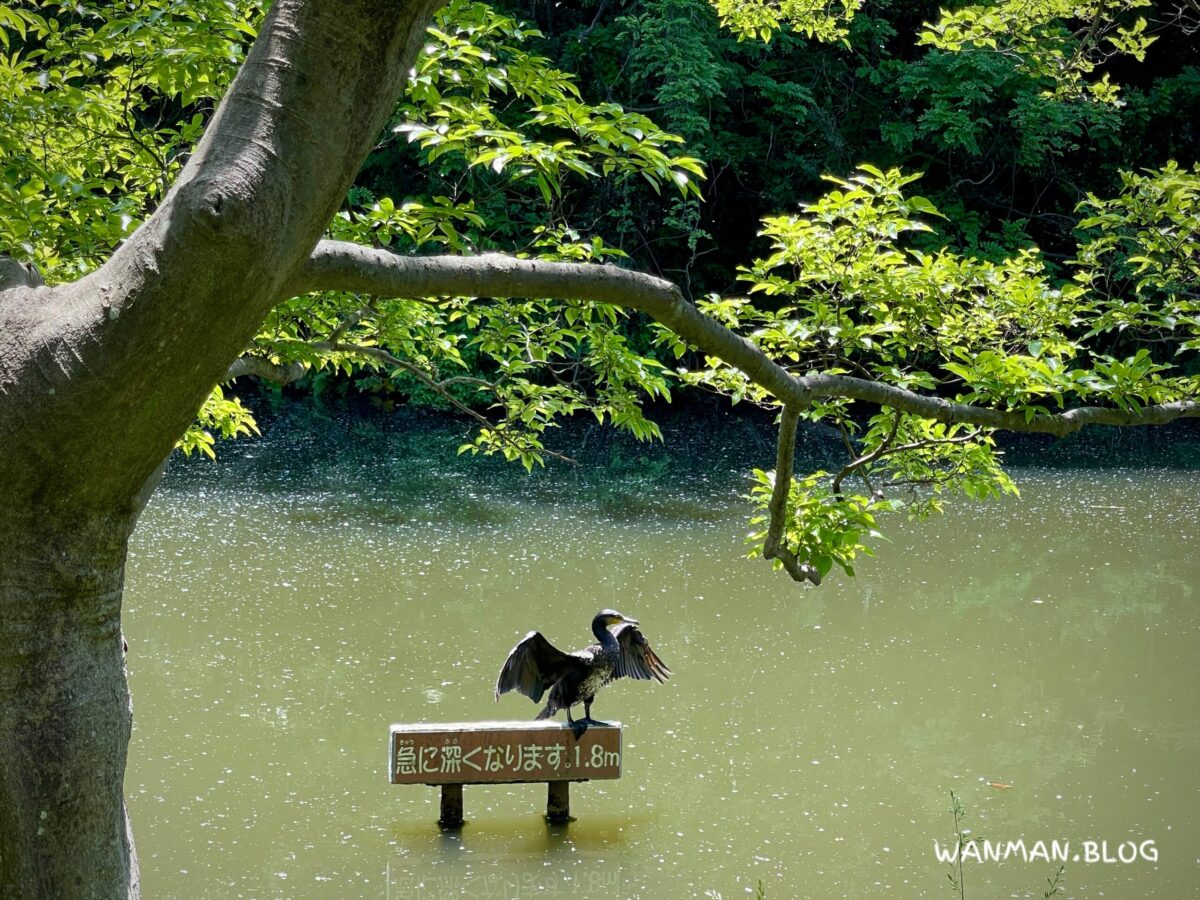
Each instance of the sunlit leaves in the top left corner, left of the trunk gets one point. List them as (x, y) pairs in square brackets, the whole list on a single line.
[(98, 106)]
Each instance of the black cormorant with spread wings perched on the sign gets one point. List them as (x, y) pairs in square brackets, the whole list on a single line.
[(536, 665)]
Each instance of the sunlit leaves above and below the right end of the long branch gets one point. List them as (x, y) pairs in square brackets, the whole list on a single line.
[(851, 286)]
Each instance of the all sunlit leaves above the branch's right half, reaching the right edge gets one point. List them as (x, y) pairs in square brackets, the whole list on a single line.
[(850, 293)]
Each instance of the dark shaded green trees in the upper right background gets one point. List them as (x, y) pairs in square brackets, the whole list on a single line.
[(1006, 164)]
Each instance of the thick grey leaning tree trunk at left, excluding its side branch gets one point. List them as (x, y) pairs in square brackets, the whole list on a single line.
[(100, 379)]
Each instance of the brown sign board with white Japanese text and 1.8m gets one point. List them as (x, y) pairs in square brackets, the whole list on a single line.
[(500, 753)]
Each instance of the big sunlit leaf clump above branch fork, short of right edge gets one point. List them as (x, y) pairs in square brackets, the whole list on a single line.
[(848, 290)]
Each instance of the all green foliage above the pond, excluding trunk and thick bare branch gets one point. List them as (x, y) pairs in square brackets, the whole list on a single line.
[(922, 322)]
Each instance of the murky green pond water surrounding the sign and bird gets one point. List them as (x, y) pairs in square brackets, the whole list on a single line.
[(283, 615)]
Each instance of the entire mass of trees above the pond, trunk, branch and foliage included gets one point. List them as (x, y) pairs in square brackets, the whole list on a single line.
[(914, 227)]
